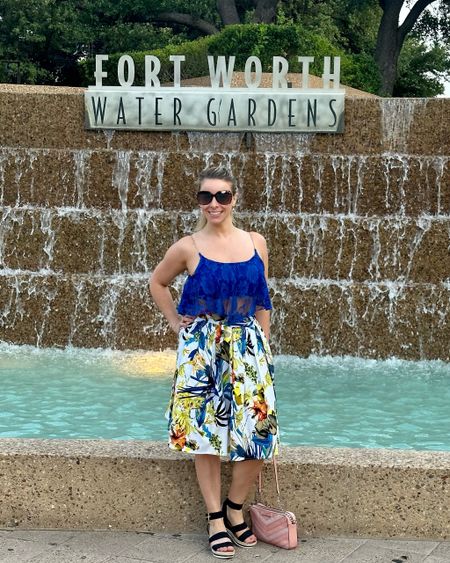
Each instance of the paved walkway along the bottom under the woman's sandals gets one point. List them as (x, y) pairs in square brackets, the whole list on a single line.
[(40, 546)]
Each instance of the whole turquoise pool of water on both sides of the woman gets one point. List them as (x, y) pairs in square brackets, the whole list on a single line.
[(323, 401)]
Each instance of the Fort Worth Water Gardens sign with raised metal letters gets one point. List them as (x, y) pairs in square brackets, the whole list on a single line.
[(283, 108)]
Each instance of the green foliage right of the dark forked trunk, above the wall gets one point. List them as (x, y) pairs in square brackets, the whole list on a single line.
[(421, 70)]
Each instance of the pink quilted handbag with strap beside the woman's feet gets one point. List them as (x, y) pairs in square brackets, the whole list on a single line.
[(274, 525)]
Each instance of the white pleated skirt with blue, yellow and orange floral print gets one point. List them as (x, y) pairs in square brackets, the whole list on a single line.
[(223, 396)]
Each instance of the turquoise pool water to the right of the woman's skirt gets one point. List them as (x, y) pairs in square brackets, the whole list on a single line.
[(365, 403)]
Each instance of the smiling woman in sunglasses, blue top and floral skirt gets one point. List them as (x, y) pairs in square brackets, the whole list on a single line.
[(223, 400)]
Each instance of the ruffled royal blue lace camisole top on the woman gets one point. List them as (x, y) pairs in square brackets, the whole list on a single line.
[(231, 290)]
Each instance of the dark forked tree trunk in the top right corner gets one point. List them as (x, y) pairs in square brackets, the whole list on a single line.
[(391, 36)]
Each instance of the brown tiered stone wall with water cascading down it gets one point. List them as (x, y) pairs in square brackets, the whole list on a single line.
[(358, 225)]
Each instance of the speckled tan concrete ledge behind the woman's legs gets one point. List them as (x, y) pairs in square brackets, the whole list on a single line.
[(141, 485)]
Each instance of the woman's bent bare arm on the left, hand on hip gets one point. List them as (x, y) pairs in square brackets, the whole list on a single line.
[(173, 263)]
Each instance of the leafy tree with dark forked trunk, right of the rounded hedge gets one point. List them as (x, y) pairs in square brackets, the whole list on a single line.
[(370, 28)]
